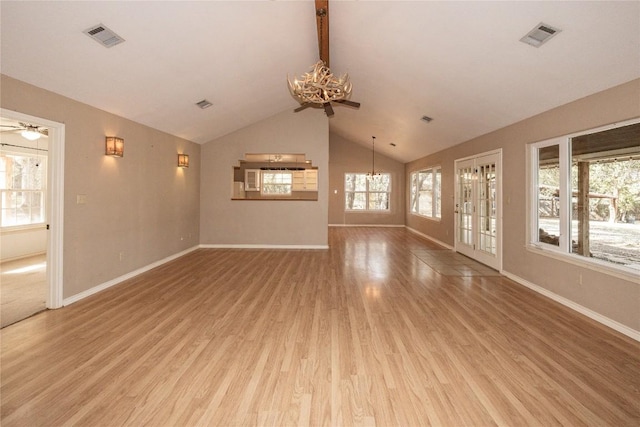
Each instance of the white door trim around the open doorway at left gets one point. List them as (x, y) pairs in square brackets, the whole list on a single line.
[(55, 202)]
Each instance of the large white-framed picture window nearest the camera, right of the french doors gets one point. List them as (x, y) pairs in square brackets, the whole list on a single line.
[(586, 195)]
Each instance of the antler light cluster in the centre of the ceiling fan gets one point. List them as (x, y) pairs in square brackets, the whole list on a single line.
[(320, 86)]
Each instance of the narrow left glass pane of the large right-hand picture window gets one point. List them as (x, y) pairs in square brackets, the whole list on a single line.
[(549, 195)]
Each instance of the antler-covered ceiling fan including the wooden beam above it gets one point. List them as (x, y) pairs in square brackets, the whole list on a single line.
[(319, 87)]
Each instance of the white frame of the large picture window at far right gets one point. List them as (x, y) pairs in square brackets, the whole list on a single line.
[(563, 251)]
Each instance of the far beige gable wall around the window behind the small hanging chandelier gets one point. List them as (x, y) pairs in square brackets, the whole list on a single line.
[(345, 157)]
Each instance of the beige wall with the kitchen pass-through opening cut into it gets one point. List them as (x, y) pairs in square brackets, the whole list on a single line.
[(260, 222)]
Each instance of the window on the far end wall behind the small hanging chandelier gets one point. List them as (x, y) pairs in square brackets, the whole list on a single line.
[(367, 193)]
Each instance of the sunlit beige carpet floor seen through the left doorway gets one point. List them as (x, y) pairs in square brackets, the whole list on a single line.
[(23, 288)]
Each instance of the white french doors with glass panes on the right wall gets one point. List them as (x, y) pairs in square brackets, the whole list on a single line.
[(478, 208)]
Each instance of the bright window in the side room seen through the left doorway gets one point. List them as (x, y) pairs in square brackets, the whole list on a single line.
[(22, 189)]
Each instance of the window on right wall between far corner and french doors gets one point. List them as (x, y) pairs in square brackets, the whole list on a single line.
[(426, 192)]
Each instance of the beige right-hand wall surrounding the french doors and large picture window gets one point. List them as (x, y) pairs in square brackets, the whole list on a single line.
[(613, 297)]
